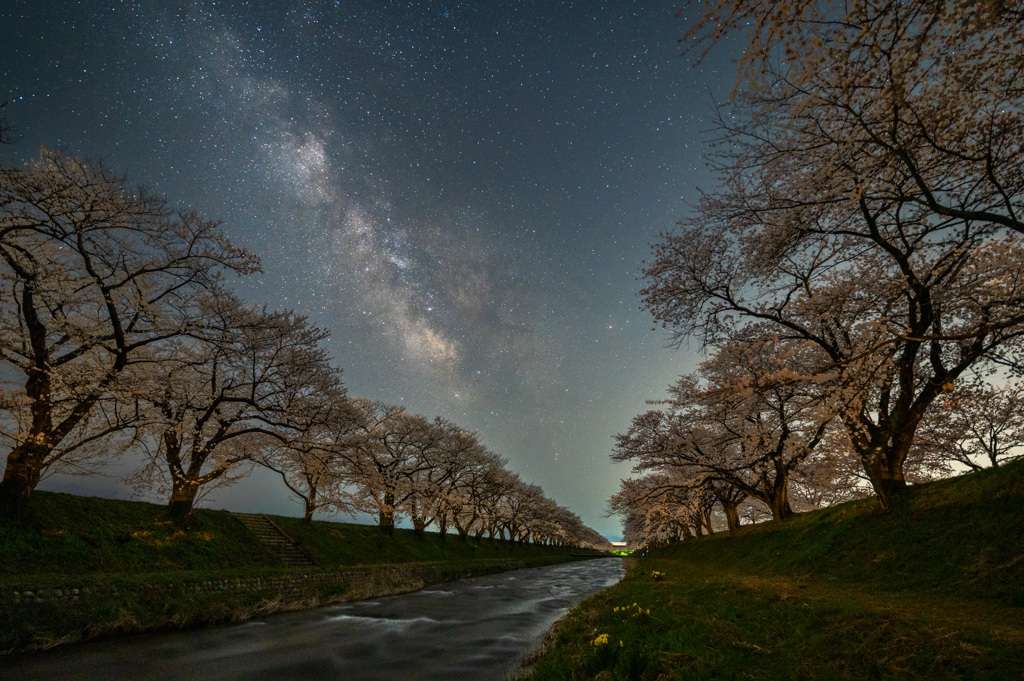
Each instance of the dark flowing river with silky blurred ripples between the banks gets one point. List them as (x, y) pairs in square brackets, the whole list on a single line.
[(476, 629)]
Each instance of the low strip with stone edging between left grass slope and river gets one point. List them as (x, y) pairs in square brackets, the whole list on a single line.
[(45, 614)]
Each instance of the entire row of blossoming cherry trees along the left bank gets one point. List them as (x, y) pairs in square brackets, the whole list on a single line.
[(120, 336)]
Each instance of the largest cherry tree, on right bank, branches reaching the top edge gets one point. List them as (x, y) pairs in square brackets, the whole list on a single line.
[(870, 202)]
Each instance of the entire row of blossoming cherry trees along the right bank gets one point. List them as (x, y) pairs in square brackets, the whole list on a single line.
[(858, 276)]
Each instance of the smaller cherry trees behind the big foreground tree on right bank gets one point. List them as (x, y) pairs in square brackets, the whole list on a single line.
[(748, 436)]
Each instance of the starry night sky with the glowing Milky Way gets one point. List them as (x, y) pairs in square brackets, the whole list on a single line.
[(463, 194)]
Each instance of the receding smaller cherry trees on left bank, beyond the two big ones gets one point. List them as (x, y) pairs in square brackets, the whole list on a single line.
[(381, 460)]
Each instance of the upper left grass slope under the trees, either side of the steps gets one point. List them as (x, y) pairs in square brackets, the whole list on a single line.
[(74, 536)]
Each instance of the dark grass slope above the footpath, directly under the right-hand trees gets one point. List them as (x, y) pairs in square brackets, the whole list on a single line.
[(962, 537)]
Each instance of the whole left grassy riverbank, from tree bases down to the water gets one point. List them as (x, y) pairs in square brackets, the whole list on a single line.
[(84, 567)]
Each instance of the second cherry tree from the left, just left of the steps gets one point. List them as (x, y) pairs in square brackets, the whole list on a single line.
[(251, 379)]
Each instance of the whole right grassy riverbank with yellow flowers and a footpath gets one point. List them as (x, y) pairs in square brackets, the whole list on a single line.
[(934, 590)]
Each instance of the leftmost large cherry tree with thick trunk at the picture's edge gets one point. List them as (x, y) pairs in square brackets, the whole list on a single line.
[(93, 273)]
